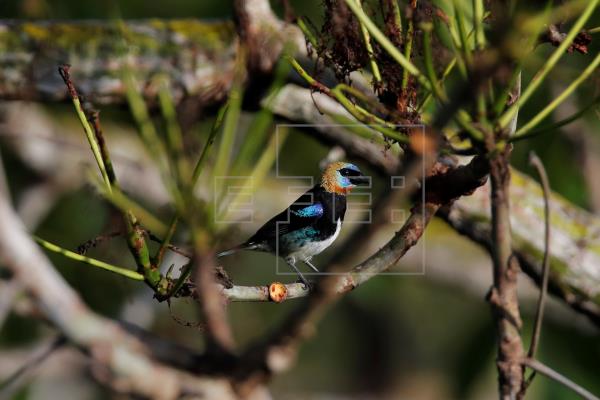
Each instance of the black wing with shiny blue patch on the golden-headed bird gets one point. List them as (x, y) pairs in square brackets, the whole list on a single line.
[(305, 211)]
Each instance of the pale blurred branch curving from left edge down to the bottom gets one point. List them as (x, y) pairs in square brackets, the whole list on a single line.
[(132, 370)]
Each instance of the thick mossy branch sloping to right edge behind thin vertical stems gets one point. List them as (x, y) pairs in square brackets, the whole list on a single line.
[(574, 245)]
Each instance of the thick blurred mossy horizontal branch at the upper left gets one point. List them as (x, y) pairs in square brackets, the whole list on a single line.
[(197, 56)]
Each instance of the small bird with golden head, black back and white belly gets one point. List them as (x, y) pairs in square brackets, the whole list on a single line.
[(311, 224)]
